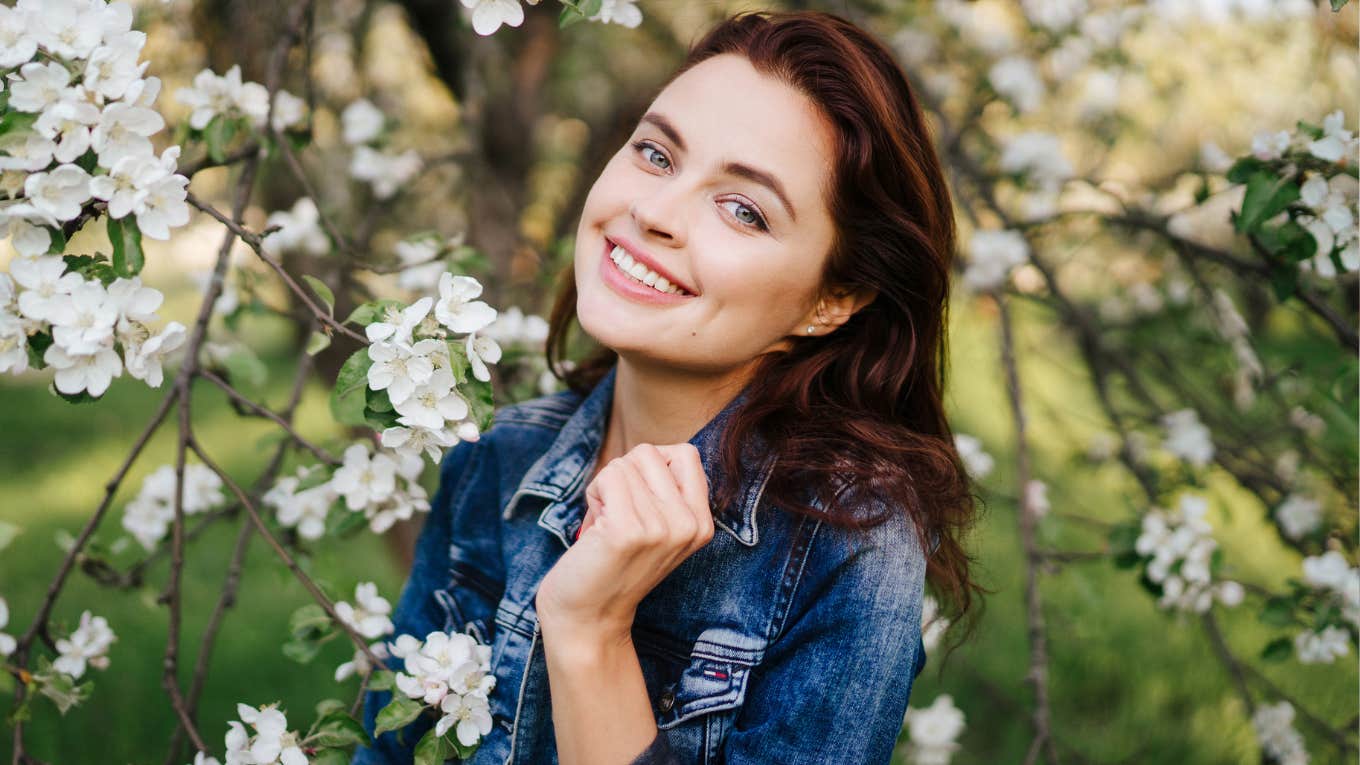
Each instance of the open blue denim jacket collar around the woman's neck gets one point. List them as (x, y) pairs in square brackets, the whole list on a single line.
[(561, 473)]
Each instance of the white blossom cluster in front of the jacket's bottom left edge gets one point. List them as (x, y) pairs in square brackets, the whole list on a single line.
[(454, 673)]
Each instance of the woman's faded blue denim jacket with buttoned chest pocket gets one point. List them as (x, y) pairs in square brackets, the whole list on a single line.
[(783, 642)]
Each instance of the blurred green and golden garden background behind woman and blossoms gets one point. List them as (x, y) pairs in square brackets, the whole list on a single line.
[(513, 129)]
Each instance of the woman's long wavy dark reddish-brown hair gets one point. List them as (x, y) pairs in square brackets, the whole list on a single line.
[(856, 413)]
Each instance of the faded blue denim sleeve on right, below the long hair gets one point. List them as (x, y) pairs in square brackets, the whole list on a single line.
[(834, 685)]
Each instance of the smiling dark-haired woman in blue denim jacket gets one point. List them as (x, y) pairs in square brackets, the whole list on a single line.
[(713, 548)]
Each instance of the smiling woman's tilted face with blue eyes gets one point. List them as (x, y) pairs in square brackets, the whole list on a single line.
[(720, 191)]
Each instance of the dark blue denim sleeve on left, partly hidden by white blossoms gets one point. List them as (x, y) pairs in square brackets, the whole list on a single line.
[(418, 613)]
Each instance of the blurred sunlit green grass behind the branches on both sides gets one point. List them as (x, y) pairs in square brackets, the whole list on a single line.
[(1129, 684)]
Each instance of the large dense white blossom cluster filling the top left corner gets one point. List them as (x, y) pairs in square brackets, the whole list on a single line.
[(84, 93)]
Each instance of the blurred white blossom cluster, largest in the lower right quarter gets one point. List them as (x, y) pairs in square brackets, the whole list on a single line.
[(1180, 548)]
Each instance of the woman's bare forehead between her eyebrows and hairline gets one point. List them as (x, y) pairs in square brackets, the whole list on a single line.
[(726, 110)]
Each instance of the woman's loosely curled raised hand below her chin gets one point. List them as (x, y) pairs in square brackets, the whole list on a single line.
[(647, 512)]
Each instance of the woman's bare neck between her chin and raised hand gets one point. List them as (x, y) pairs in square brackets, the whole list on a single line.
[(662, 405)]
